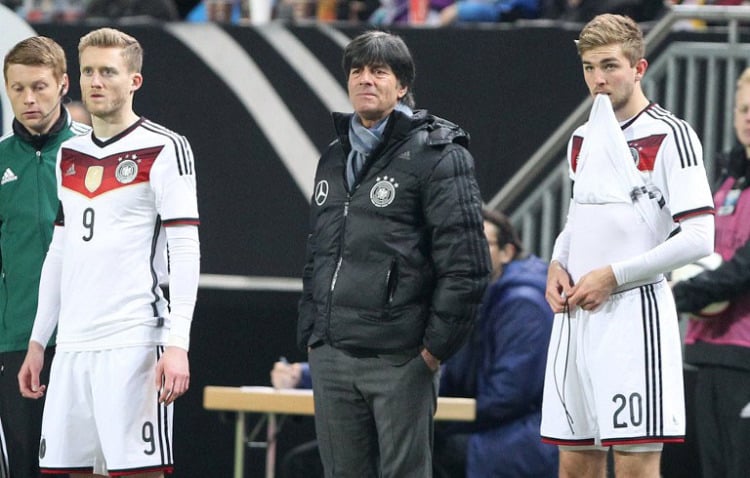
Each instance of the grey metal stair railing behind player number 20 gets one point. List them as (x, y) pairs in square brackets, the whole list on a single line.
[(694, 80)]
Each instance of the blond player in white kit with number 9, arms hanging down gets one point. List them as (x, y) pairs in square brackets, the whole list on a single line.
[(126, 191)]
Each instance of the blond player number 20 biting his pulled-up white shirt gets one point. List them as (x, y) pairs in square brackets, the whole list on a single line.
[(641, 206)]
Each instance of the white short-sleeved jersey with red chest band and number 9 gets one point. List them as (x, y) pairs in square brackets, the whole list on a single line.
[(116, 198)]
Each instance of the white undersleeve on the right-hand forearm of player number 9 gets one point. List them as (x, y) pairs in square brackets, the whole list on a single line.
[(184, 272)]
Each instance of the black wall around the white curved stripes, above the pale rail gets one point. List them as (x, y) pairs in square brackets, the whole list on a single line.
[(253, 215)]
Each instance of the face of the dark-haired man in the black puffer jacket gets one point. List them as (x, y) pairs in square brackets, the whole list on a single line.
[(374, 92)]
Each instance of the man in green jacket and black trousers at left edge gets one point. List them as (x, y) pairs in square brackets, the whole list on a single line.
[(36, 83)]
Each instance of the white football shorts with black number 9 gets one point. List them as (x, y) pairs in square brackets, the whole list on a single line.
[(102, 414)]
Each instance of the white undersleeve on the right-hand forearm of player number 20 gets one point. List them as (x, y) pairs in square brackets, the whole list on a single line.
[(695, 240)]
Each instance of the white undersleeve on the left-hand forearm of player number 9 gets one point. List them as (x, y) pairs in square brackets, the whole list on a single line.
[(48, 308)]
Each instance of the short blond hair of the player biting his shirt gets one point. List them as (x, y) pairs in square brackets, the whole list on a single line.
[(610, 29)]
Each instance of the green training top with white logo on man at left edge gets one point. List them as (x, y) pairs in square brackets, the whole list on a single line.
[(28, 206)]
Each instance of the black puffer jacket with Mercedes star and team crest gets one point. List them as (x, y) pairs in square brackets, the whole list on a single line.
[(400, 262)]
